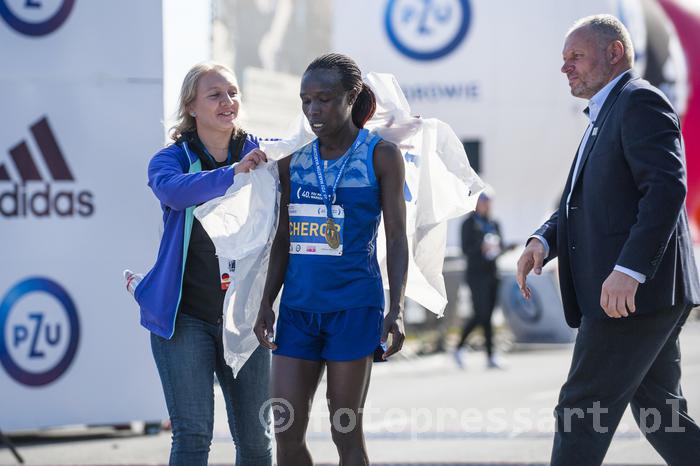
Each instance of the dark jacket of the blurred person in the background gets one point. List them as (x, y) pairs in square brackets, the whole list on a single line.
[(473, 232)]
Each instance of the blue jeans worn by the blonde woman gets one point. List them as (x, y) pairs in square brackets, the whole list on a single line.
[(186, 364)]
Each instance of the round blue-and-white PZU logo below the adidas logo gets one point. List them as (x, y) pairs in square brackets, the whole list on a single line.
[(39, 331)]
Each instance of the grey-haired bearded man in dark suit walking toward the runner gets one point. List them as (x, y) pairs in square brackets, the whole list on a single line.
[(626, 268)]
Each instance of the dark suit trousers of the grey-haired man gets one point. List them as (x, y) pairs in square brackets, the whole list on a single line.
[(616, 362)]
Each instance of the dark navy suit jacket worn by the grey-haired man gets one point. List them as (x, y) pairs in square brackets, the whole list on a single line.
[(627, 208)]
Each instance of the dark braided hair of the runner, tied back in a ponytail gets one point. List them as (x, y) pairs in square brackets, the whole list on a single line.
[(351, 79)]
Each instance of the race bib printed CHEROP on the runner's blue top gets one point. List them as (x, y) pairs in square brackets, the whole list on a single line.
[(307, 229)]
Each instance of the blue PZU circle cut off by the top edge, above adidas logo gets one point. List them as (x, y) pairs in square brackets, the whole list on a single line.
[(35, 17)]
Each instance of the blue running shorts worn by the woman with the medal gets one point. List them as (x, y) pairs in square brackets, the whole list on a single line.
[(331, 336)]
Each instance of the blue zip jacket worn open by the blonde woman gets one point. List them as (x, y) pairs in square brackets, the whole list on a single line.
[(175, 175)]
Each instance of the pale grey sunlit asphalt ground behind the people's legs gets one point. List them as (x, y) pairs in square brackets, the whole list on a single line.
[(420, 411)]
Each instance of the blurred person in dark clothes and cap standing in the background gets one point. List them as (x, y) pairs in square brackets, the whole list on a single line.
[(482, 244)]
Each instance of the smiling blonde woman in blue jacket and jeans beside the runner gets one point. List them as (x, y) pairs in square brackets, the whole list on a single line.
[(181, 298)]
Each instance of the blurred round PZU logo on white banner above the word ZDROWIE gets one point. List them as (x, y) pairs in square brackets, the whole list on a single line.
[(427, 29)]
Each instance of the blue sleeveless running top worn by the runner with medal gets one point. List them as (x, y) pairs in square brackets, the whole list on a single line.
[(320, 278)]
